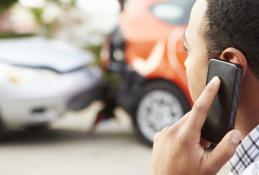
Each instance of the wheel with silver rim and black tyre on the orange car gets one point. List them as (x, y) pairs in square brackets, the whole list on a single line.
[(160, 105)]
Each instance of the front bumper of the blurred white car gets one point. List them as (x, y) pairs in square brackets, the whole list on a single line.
[(44, 102)]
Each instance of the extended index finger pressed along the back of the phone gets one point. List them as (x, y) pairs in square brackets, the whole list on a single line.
[(201, 106)]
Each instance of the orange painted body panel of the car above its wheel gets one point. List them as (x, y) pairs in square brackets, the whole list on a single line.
[(154, 52)]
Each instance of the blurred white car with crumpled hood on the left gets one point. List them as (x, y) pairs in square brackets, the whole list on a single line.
[(41, 79)]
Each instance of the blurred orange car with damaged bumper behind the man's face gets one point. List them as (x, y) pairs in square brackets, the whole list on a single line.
[(146, 51)]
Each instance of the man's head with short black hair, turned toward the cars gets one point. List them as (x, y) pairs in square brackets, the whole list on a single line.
[(226, 29)]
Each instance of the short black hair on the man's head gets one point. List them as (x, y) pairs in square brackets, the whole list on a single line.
[(234, 23)]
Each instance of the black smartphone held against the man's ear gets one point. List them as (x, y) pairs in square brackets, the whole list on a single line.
[(222, 113)]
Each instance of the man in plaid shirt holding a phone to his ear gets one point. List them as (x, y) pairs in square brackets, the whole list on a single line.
[(228, 30)]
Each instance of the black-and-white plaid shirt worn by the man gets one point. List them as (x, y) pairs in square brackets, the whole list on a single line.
[(246, 158)]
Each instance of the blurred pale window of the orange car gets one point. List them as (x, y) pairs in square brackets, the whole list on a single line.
[(173, 11)]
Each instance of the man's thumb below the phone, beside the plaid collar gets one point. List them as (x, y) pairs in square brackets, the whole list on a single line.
[(223, 151)]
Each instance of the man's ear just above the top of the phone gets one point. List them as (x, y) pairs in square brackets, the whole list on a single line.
[(235, 56)]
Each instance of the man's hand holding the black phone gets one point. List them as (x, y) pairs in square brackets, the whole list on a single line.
[(177, 149)]
